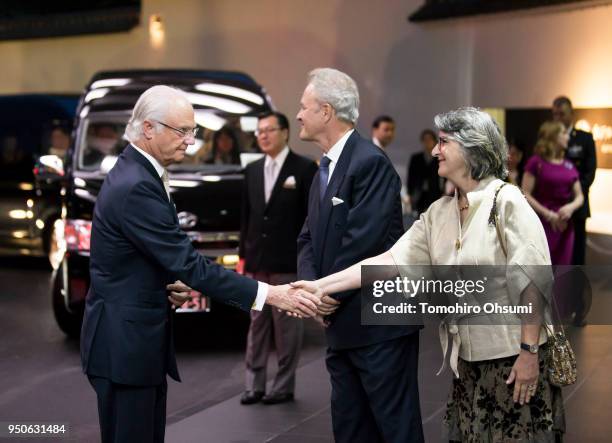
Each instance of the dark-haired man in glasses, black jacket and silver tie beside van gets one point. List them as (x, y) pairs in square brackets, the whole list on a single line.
[(274, 206)]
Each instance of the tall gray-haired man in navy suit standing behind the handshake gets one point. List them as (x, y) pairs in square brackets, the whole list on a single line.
[(354, 212)]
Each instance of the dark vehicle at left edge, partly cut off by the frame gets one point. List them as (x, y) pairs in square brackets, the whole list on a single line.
[(34, 138)]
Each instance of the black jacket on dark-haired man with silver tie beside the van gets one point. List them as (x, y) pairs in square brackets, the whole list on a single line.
[(268, 232)]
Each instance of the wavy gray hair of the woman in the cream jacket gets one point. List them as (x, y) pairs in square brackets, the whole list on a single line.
[(484, 148)]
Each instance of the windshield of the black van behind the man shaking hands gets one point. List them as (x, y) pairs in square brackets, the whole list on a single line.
[(224, 148)]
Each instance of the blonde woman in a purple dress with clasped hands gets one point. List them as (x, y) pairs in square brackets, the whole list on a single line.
[(551, 185)]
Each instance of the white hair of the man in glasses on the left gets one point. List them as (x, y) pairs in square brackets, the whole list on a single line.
[(154, 104)]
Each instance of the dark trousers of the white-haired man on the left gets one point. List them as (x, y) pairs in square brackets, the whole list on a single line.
[(130, 414)]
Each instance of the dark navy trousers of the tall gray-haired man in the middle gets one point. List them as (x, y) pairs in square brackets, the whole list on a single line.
[(375, 392)]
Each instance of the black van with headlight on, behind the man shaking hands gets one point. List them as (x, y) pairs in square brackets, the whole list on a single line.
[(206, 187)]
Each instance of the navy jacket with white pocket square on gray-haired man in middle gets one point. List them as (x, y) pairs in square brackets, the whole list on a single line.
[(335, 237)]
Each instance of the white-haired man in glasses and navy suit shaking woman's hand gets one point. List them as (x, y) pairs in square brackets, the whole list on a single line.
[(137, 248)]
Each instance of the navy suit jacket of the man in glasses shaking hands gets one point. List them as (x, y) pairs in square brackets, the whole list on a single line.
[(137, 248)]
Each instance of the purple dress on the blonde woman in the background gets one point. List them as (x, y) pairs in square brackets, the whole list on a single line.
[(553, 189)]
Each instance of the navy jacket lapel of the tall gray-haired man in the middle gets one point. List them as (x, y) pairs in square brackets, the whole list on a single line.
[(337, 178)]
